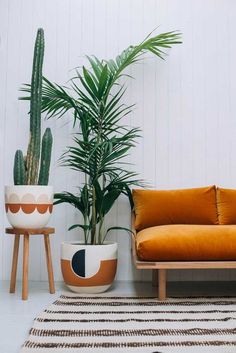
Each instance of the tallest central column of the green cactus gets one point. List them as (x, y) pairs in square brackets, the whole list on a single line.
[(33, 152)]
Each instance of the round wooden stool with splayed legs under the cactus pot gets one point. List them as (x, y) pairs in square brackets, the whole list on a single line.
[(26, 232)]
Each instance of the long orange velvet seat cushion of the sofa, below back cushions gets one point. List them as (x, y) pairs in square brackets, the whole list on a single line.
[(182, 242)]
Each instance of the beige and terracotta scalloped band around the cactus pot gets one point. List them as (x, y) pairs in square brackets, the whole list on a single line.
[(28, 203)]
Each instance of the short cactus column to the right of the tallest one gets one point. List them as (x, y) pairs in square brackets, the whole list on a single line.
[(45, 157)]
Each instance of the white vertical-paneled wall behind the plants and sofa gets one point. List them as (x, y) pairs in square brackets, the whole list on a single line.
[(186, 106)]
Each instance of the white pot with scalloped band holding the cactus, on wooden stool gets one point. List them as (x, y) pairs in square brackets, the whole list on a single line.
[(28, 206)]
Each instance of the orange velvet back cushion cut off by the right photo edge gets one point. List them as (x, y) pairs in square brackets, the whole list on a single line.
[(226, 205)]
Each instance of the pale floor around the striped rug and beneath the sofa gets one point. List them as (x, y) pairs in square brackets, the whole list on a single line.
[(16, 316)]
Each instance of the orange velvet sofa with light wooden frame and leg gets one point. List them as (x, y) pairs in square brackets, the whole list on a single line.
[(183, 229)]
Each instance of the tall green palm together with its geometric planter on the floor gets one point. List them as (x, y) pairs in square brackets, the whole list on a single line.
[(101, 143)]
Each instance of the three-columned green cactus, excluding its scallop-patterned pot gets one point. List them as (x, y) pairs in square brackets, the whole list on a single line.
[(26, 172)]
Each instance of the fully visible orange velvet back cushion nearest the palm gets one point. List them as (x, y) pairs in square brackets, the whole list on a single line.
[(183, 206)]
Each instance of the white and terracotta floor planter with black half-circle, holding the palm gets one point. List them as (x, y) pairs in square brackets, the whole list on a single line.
[(88, 268)]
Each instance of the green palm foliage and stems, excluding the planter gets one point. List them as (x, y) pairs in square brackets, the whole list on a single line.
[(102, 141)]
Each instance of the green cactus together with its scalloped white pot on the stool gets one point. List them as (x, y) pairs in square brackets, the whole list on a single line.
[(29, 202)]
